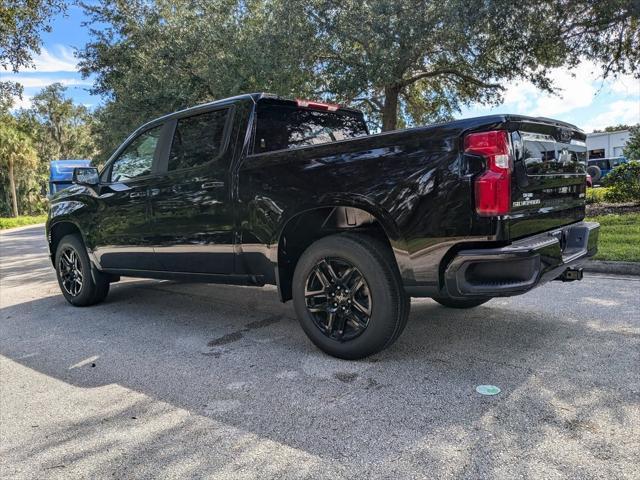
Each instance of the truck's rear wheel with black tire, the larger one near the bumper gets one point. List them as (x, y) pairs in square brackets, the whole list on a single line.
[(376, 308)]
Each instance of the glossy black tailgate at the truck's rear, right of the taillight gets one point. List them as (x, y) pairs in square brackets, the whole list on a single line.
[(548, 185)]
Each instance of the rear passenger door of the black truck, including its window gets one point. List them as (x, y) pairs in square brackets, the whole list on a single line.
[(191, 208)]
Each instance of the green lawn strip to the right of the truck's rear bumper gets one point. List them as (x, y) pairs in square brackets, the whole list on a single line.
[(619, 238)]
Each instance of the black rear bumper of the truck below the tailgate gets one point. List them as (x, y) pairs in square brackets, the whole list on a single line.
[(521, 266)]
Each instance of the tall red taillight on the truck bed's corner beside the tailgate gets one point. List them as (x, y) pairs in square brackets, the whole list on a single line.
[(493, 187)]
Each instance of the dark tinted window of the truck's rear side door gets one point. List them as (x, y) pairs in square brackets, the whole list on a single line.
[(197, 140)]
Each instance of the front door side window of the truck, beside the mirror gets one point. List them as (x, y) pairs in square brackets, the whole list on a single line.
[(137, 158)]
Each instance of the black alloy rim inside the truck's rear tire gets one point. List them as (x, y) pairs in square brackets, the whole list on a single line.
[(338, 298)]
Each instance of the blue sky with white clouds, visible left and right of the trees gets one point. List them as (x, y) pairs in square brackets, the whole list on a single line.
[(583, 98)]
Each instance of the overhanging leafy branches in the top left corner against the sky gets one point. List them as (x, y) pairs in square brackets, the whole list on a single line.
[(21, 24)]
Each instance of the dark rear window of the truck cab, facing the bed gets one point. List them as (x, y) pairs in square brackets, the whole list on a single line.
[(282, 126)]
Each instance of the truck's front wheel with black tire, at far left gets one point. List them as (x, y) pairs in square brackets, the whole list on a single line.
[(79, 285)]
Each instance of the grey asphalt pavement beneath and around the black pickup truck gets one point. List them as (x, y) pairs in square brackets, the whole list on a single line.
[(168, 380)]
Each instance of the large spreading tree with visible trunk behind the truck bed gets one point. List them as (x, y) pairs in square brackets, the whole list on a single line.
[(421, 60)]
